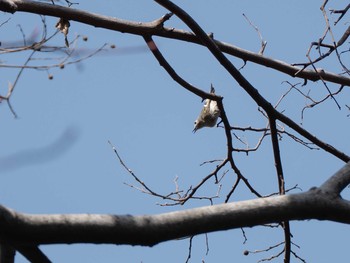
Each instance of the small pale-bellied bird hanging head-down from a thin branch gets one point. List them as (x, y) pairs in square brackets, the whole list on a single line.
[(209, 114)]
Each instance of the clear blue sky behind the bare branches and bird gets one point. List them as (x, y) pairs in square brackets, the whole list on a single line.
[(55, 157)]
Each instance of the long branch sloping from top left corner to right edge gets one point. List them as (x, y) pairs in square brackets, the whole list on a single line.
[(156, 28)]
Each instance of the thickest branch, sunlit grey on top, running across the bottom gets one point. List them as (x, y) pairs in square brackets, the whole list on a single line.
[(28, 230)]
